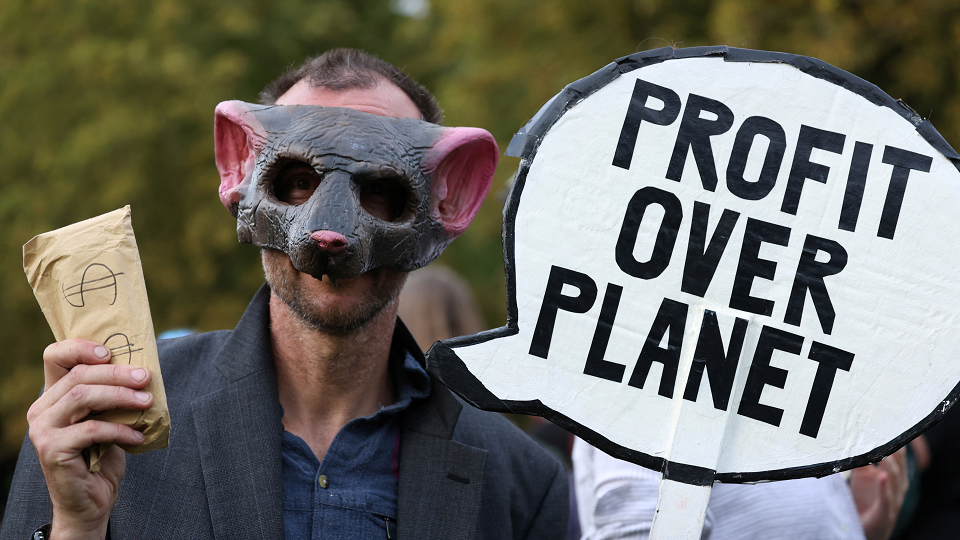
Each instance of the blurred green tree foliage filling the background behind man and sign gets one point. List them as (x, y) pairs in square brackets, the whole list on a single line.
[(107, 102)]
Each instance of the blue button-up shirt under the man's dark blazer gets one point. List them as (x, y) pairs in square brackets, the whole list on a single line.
[(352, 495)]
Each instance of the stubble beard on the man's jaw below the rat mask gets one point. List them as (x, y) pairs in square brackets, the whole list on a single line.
[(286, 283)]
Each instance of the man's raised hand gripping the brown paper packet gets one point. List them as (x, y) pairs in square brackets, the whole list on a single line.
[(79, 381)]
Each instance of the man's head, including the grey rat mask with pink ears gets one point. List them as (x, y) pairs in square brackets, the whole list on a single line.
[(344, 193)]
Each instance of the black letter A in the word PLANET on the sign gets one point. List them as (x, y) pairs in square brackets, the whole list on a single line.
[(673, 317)]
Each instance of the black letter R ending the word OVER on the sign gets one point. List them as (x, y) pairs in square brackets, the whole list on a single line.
[(810, 274)]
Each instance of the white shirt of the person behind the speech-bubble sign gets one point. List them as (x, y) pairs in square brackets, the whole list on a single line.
[(617, 500)]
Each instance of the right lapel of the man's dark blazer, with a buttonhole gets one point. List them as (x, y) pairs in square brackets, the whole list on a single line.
[(441, 480)]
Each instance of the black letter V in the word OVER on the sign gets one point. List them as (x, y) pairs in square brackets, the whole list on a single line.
[(702, 258)]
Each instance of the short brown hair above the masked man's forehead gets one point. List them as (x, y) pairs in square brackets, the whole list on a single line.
[(348, 69)]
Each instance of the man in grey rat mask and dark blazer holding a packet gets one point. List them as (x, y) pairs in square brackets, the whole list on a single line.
[(314, 418)]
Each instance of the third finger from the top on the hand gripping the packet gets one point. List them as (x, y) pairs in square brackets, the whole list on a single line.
[(83, 399)]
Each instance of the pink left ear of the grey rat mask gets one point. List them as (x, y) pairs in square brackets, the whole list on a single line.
[(238, 137)]
